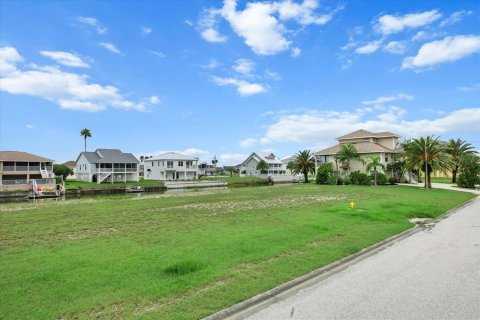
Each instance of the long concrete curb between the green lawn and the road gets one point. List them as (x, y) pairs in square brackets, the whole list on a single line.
[(250, 306)]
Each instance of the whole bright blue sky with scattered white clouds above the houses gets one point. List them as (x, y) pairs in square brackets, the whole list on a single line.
[(228, 78)]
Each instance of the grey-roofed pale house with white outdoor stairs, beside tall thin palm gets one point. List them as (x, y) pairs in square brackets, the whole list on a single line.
[(107, 165)]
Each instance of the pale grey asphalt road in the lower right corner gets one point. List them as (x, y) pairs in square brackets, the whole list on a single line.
[(434, 274)]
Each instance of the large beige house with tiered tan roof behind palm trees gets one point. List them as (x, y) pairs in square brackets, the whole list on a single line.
[(368, 144)]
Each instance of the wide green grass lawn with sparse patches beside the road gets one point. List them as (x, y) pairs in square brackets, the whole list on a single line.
[(188, 255)]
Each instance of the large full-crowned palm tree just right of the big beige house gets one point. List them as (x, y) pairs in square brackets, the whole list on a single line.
[(426, 154)]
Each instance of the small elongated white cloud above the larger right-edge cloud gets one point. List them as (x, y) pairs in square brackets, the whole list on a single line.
[(389, 24)]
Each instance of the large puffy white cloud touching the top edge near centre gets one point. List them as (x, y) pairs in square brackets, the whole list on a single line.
[(261, 24)]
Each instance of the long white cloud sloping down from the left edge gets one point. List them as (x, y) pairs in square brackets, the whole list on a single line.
[(68, 90)]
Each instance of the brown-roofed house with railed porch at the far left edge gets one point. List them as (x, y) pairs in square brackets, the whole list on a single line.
[(21, 168)]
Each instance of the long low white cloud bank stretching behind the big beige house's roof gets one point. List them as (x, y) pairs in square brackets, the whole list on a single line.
[(319, 125)]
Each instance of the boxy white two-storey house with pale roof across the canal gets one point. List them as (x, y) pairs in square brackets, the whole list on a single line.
[(171, 166)]
